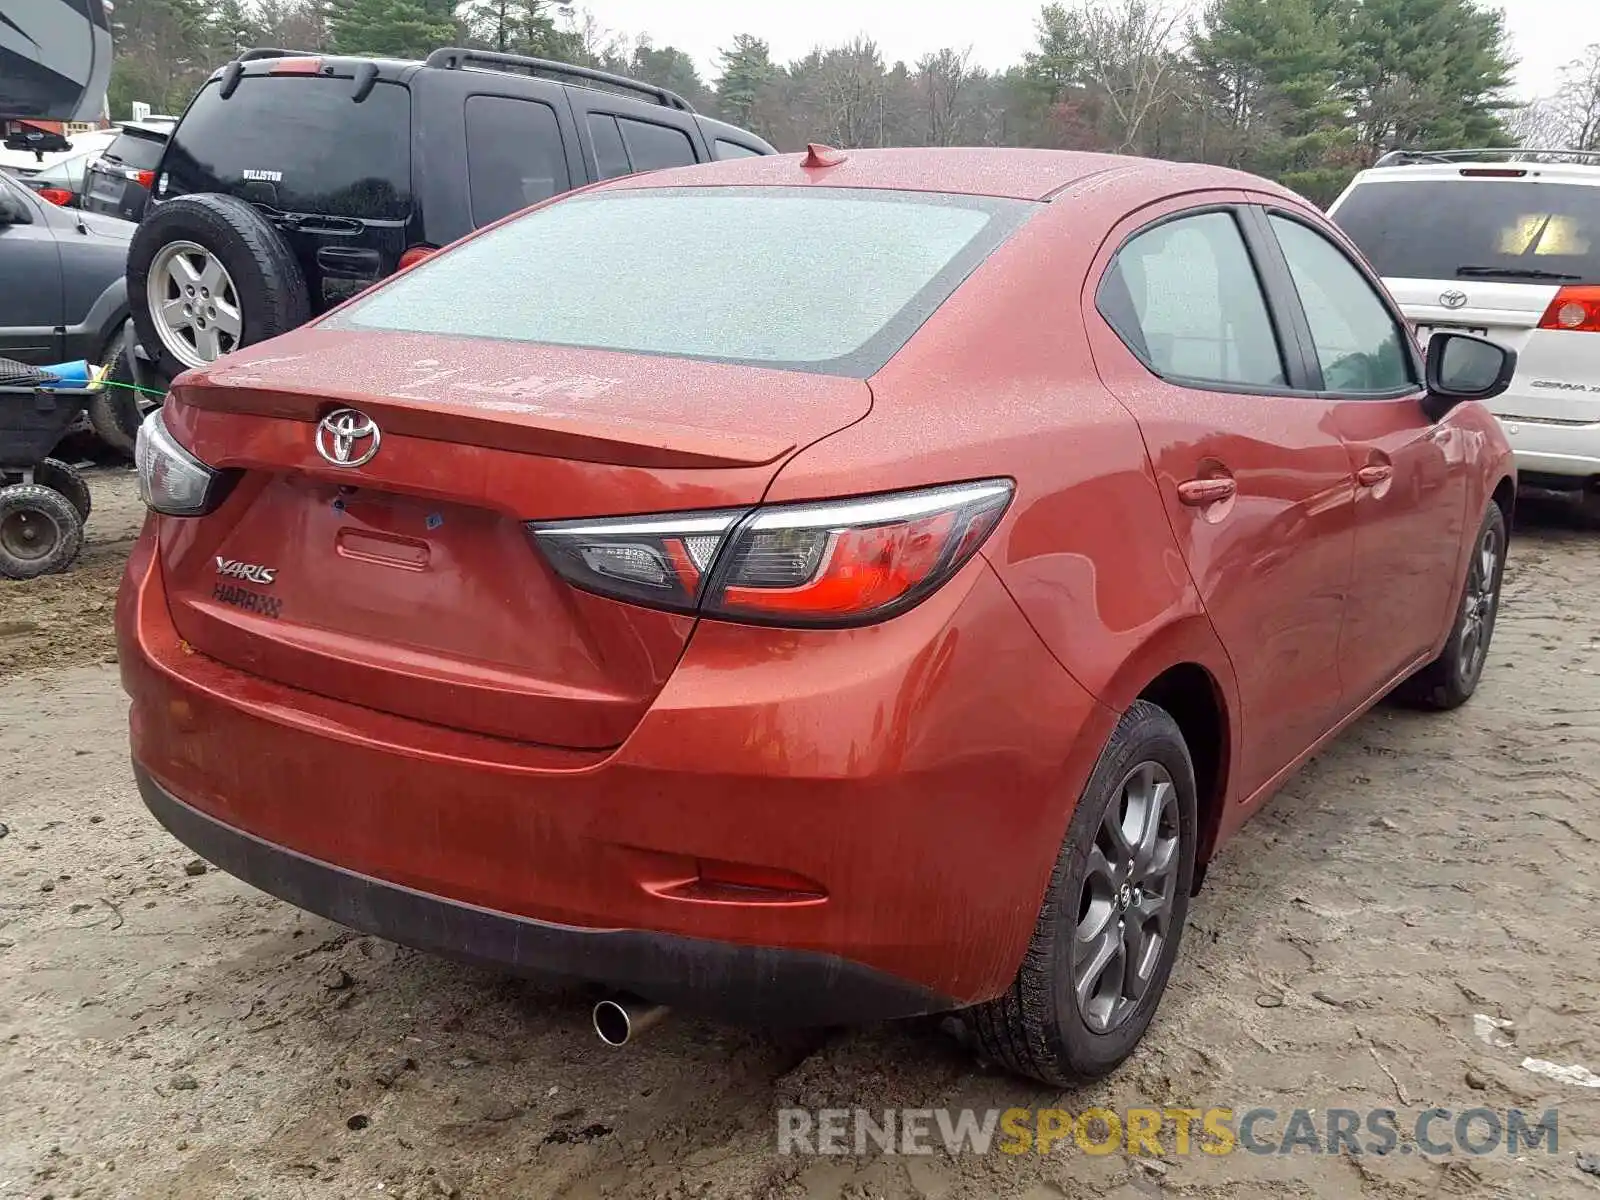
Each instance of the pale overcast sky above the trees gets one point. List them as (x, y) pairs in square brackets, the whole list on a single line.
[(1545, 33)]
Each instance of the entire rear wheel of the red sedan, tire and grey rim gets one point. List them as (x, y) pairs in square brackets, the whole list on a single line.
[(1113, 918)]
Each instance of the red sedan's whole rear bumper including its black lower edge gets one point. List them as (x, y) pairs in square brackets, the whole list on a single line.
[(833, 826)]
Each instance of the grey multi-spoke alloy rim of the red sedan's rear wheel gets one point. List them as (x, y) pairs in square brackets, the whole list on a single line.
[(1126, 906)]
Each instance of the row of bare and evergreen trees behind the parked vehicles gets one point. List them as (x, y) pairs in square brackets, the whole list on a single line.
[(1302, 90)]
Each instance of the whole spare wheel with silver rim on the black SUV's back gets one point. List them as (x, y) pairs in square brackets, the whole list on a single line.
[(209, 274)]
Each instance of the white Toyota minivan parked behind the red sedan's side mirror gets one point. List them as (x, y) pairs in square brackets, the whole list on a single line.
[(1503, 244)]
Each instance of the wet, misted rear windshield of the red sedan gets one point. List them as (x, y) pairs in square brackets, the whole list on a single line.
[(831, 281)]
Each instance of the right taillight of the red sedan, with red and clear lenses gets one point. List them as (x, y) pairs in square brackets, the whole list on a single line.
[(822, 564)]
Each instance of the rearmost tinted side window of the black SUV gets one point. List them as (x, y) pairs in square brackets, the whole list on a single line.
[(514, 156)]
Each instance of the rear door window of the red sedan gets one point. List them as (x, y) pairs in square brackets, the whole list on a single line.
[(1186, 300)]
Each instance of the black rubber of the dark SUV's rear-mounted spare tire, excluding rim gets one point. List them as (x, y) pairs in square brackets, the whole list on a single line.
[(268, 281)]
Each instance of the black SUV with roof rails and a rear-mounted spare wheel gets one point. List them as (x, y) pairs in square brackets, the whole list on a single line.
[(295, 180)]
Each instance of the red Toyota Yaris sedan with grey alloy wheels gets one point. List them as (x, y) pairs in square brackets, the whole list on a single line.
[(812, 590)]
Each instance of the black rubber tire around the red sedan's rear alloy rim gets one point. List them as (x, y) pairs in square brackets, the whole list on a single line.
[(1039, 1028)]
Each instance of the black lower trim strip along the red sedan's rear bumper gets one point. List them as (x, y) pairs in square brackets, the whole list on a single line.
[(780, 988)]
